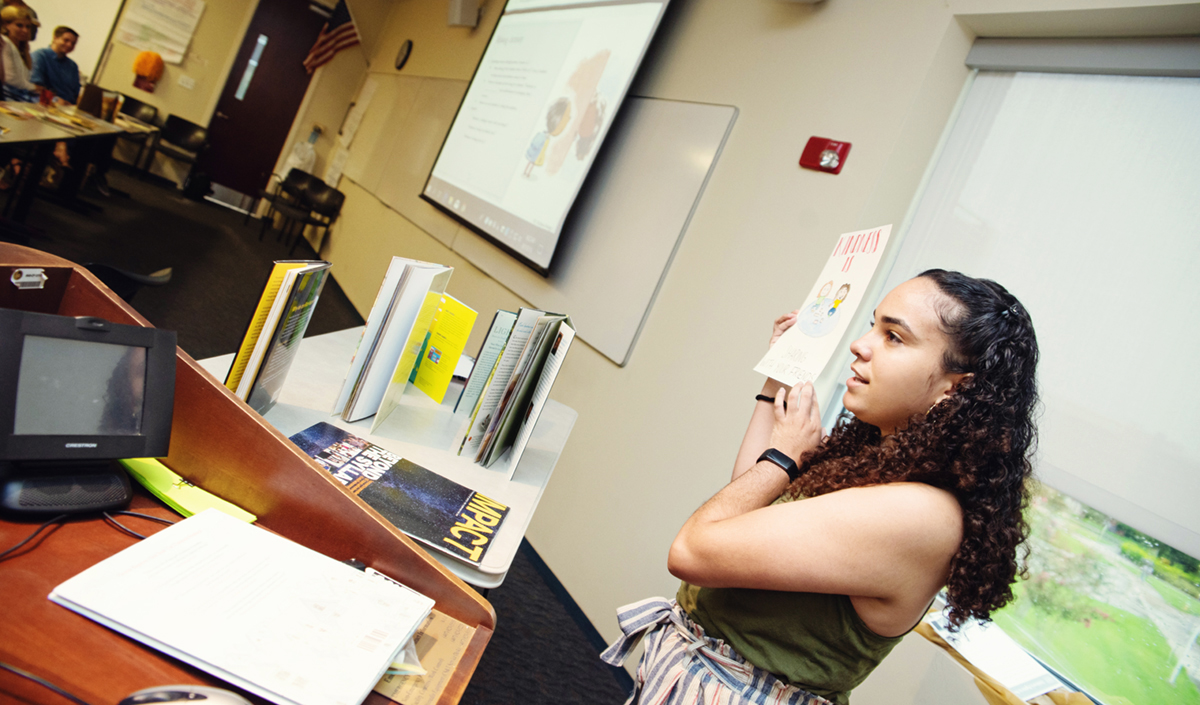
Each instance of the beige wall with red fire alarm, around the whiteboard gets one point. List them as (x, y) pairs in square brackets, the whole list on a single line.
[(657, 438)]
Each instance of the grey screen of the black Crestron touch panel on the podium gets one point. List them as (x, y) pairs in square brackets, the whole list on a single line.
[(76, 388)]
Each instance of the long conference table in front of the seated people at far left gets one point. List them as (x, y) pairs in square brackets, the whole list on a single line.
[(43, 128)]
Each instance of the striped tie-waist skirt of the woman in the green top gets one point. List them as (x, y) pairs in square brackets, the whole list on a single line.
[(683, 667)]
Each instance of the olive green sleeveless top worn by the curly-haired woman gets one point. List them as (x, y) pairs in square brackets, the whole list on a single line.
[(814, 642)]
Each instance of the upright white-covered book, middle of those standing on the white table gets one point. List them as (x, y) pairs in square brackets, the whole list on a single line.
[(395, 332)]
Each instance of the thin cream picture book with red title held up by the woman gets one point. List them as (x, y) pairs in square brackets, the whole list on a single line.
[(803, 351)]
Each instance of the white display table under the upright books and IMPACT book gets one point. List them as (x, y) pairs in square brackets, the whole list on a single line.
[(428, 435)]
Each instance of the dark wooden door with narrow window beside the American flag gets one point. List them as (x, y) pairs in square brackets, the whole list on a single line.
[(262, 95)]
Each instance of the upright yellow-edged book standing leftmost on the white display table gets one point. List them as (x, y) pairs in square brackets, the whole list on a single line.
[(275, 330)]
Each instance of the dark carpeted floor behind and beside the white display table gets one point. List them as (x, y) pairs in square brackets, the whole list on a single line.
[(544, 652)]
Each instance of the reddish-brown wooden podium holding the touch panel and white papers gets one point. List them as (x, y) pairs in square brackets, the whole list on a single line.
[(221, 445)]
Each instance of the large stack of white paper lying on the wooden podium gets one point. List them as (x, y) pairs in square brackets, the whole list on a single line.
[(253, 608)]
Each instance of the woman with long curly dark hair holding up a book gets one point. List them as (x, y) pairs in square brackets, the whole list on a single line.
[(823, 553)]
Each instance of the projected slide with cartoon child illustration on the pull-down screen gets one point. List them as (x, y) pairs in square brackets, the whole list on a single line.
[(535, 116)]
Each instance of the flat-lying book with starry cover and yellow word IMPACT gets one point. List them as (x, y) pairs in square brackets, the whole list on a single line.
[(429, 508)]
